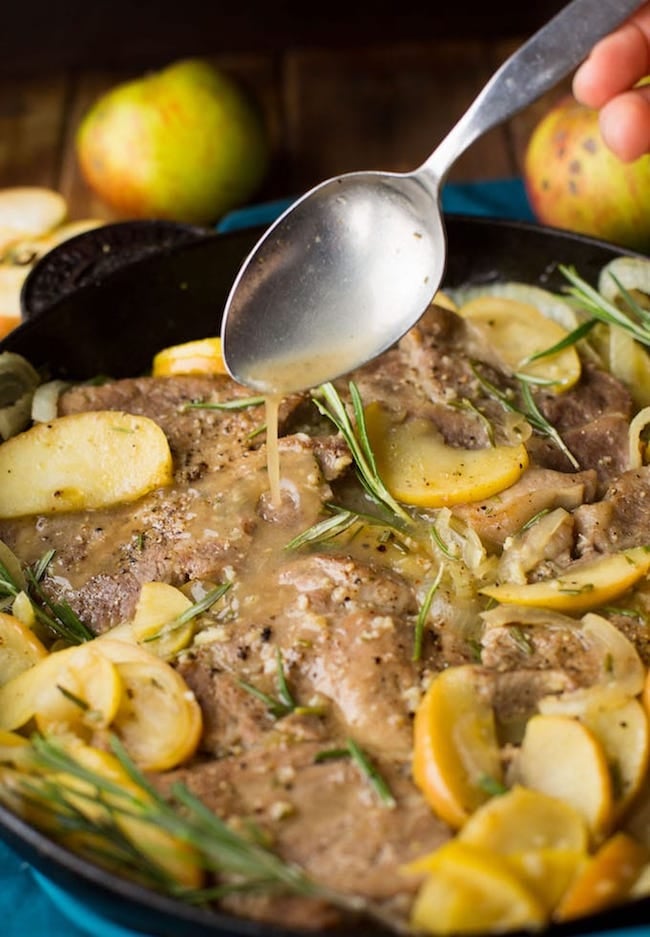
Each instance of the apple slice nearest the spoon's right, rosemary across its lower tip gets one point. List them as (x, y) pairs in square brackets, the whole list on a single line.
[(517, 331)]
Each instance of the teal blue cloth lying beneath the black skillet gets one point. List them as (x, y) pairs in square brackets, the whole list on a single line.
[(34, 906)]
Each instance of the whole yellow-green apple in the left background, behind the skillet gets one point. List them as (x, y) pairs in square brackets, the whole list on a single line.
[(183, 144)]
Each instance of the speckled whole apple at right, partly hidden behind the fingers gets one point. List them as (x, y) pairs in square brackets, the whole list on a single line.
[(574, 182)]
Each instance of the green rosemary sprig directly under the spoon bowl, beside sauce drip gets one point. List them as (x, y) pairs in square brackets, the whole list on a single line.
[(329, 404)]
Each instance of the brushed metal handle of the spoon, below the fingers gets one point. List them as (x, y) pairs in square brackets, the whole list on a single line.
[(536, 67)]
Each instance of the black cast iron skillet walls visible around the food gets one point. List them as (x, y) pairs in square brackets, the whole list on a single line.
[(113, 326)]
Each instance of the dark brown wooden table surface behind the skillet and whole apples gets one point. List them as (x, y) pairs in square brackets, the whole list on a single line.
[(382, 104)]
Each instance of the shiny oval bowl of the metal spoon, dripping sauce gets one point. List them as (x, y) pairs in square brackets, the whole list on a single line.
[(304, 290)]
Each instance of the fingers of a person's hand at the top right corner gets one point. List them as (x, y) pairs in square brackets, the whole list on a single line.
[(606, 81)]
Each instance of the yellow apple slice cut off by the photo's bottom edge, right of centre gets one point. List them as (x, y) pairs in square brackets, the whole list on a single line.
[(470, 890)]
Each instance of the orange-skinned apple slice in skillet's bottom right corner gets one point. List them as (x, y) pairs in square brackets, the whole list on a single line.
[(606, 880)]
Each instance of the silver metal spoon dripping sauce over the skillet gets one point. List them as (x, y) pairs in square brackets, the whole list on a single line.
[(353, 263)]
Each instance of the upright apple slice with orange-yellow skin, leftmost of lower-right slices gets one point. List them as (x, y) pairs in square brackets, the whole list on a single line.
[(455, 746)]
